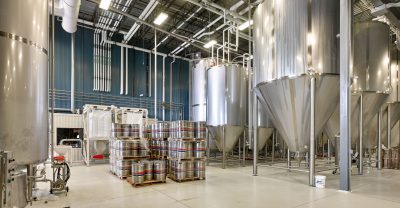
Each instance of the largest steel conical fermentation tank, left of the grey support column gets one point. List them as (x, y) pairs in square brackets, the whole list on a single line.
[(295, 42)]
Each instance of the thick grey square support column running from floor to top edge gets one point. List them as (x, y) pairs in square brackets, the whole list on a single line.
[(345, 92)]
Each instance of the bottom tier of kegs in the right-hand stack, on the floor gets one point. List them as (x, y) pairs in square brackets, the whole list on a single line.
[(187, 170)]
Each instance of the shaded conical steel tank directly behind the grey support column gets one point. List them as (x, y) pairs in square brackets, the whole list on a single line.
[(370, 78)]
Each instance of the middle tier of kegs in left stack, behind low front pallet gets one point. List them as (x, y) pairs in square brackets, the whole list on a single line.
[(128, 148)]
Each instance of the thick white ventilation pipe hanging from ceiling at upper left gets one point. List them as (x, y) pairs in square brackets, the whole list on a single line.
[(70, 15)]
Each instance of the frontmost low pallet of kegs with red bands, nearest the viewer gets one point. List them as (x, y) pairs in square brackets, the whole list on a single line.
[(146, 171)]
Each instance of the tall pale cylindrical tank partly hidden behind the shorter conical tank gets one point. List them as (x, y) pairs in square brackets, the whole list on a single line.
[(199, 89)]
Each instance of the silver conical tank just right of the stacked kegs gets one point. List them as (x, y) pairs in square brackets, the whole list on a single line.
[(226, 104)]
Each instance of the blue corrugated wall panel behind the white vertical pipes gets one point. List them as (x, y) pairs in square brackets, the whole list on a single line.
[(138, 67)]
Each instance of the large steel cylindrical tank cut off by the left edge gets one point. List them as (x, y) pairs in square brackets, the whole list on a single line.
[(23, 79)]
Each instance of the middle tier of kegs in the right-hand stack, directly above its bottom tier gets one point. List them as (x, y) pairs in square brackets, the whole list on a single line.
[(186, 149)]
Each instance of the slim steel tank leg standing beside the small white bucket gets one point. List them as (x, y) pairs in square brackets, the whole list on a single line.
[(312, 134)]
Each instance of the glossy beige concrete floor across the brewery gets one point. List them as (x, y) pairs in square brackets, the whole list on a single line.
[(234, 187)]
